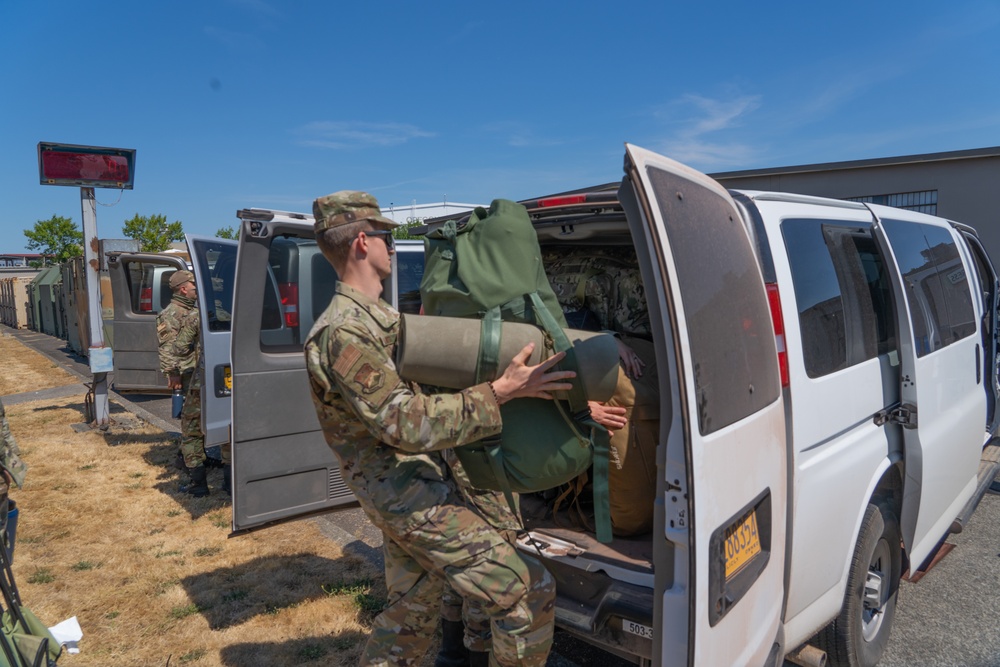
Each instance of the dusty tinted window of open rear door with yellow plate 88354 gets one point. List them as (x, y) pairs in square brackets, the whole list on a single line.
[(728, 320)]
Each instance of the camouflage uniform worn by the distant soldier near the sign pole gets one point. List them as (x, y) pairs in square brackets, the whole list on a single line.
[(178, 327)]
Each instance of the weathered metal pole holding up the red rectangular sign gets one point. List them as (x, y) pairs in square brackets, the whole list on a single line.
[(101, 360)]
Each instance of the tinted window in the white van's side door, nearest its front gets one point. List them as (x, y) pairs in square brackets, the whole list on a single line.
[(937, 286)]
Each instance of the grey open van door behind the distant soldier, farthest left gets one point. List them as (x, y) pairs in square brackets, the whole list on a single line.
[(140, 290)]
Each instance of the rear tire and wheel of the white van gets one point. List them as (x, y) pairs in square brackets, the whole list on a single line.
[(859, 634)]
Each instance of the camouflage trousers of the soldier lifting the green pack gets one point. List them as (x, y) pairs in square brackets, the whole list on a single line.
[(457, 547)]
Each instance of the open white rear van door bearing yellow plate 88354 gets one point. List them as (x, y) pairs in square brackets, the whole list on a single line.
[(719, 564)]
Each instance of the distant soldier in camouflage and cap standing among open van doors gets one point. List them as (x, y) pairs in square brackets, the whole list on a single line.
[(178, 328)]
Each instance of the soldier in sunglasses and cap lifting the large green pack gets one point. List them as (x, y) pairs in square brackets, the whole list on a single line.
[(389, 436)]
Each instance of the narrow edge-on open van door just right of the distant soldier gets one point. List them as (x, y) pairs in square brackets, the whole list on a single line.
[(214, 263)]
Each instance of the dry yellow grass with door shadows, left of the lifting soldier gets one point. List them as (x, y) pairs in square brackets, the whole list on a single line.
[(151, 574)]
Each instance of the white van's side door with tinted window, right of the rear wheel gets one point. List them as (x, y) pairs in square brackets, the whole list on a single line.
[(943, 405)]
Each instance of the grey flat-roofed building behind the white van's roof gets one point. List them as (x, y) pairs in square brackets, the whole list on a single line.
[(956, 185)]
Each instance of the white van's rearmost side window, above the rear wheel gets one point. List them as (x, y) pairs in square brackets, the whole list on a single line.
[(842, 294)]
